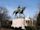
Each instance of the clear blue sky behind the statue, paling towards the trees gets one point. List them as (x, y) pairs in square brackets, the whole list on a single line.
[(11, 5)]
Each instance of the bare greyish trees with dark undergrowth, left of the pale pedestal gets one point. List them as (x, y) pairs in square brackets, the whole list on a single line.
[(4, 18)]
